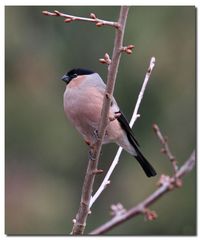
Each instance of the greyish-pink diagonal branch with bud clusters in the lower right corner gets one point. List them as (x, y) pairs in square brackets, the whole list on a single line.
[(167, 184)]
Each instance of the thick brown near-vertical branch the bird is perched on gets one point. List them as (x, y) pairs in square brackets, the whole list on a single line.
[(81, 217)]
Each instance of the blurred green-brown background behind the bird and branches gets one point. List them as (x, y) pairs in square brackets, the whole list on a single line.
[(46, 159)]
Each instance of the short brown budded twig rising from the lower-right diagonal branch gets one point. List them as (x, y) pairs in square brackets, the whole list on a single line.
[(165, 149)]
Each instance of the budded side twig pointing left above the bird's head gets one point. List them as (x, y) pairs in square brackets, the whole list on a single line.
[(71, 18)]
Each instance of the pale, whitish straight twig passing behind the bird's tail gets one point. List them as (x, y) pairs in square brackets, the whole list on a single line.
[(135, 115)]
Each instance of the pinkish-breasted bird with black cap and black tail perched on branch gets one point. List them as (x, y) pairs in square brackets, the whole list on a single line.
[(83, 100)]
